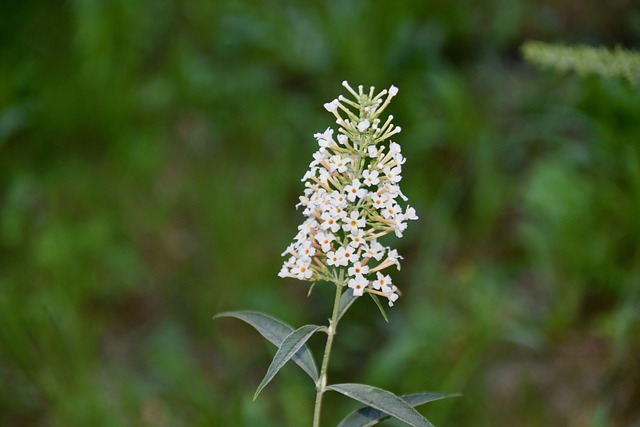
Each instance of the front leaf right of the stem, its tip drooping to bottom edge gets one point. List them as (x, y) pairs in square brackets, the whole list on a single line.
[(384, 401)]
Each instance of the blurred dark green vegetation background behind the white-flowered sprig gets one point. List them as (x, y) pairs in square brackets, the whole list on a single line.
[(150, 160)]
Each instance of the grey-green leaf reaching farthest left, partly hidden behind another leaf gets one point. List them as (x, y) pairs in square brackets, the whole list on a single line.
[(275, 331)]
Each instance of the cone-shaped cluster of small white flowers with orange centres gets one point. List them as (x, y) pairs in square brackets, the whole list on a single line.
[(351, 200)]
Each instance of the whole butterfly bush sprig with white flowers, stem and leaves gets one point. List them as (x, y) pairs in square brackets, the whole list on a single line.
[(351, 199)]
